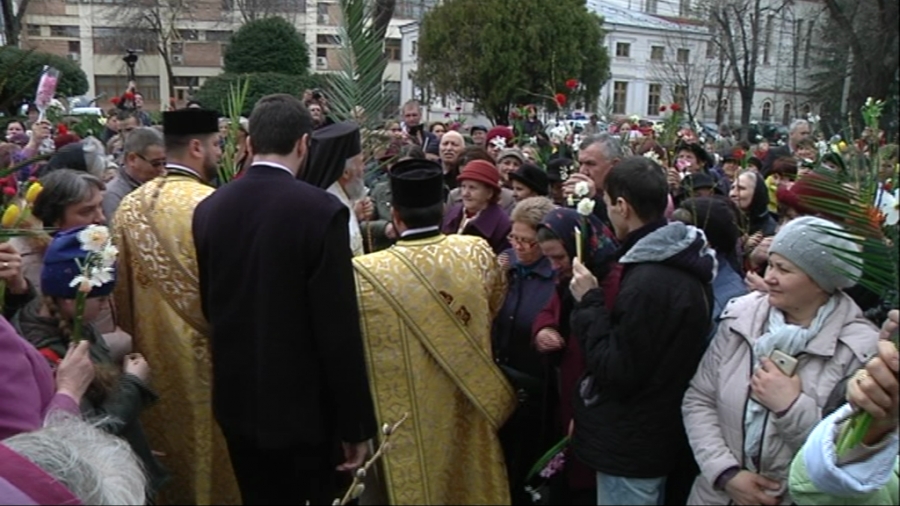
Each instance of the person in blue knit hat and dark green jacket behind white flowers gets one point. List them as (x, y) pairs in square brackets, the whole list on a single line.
[(119, 391)]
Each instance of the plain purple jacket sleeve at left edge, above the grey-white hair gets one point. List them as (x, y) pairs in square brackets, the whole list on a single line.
[(27, 388)]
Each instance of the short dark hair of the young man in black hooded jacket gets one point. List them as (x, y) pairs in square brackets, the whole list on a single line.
[(642, 183)]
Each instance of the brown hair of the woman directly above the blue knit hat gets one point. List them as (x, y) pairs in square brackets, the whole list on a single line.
[(62, 188)]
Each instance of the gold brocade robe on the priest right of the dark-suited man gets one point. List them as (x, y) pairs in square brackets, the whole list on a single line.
[(428, 348)]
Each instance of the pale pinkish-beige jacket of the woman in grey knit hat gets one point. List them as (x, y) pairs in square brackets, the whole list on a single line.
[(714, 403)]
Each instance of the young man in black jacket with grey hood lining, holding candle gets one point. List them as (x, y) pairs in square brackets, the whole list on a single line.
[(640, 355)]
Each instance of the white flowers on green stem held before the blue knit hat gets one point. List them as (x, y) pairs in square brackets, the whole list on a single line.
[(94, 271)]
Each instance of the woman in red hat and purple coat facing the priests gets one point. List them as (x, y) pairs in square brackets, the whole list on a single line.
[(479, 213)]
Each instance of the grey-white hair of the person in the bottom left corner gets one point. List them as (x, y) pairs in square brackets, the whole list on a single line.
[(96, 467)]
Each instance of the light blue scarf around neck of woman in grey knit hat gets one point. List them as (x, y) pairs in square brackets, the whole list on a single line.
[(790, 339)]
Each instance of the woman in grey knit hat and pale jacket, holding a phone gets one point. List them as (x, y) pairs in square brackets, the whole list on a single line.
[(748, 408)]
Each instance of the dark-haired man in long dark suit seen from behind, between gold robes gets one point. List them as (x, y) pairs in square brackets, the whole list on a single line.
[(276, 283)]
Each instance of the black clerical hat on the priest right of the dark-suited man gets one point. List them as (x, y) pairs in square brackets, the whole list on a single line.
[(417, 184)]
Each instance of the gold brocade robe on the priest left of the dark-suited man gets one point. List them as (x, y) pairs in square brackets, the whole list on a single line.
[(158, 300)]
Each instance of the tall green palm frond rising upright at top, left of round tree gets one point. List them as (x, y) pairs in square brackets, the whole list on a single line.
[(356, 93)]
